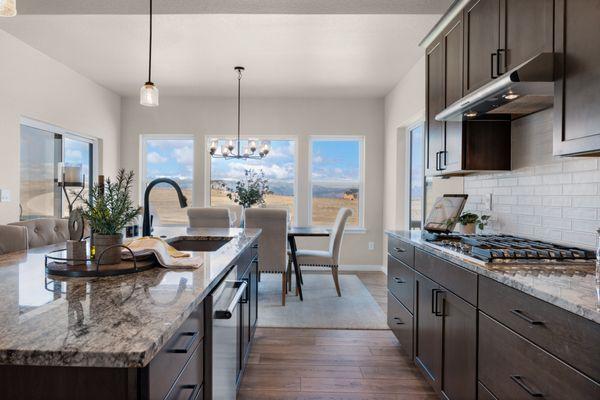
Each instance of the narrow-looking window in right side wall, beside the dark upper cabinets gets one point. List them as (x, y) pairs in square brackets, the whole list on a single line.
[(417, 177)]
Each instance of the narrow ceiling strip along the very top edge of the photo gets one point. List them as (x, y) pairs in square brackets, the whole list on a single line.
[(234, 6)]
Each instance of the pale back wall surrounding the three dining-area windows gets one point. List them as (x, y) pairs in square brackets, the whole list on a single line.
[(267, 116)]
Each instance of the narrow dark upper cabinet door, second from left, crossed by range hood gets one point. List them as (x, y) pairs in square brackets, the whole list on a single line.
[(451, 157)]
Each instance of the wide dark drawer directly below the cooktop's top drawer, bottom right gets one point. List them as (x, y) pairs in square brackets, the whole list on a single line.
[(511, 367)]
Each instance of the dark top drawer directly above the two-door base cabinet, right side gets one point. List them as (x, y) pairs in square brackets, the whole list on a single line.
[(453, 277)]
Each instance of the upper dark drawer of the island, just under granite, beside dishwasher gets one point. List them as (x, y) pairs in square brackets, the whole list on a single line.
[(169, 362)]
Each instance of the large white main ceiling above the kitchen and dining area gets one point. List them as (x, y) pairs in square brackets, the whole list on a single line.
[(284, 55)]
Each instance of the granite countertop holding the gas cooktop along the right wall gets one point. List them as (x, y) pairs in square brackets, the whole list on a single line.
[(574, 287)]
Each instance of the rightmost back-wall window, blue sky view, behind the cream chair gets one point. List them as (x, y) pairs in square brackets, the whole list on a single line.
[(336, 179)]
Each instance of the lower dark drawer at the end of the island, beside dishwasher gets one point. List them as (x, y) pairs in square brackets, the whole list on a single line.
[(189, 383)]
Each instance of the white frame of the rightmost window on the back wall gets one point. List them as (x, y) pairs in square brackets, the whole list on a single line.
[(361, 184)]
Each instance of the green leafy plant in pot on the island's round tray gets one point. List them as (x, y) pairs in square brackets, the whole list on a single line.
[(108, 210)]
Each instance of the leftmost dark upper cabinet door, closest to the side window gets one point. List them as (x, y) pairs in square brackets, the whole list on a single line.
[(435, 104)]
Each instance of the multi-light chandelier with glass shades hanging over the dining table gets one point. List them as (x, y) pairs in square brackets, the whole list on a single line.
[(233, 148)]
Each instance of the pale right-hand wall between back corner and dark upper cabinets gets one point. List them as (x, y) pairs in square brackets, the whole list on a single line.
[(404, 106)]
